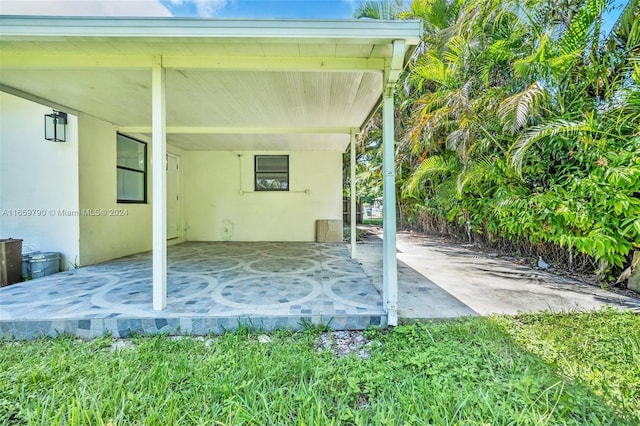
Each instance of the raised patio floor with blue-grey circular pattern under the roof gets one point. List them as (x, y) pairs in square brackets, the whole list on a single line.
[(212, 287)]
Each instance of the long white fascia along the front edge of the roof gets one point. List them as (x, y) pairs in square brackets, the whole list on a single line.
[(25, 27)]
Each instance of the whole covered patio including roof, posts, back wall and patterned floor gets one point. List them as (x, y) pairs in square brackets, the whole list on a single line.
[(216, 94)]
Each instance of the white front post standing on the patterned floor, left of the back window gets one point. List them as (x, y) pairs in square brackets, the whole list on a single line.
[(159, 183)]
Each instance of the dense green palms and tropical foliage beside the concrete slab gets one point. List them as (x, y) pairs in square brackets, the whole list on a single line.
[(519, 121)]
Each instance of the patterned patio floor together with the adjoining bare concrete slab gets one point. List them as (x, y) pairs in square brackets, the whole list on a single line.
[(213, 287)]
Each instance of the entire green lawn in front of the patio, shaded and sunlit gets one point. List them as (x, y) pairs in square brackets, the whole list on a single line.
[(542, 369)]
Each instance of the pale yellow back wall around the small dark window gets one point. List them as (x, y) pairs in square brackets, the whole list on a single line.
[(220, 204)]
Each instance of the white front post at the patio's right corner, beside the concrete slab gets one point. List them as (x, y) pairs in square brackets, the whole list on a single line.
[(389, 261)]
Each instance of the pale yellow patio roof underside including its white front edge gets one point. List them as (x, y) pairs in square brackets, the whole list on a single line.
[(230, 85)]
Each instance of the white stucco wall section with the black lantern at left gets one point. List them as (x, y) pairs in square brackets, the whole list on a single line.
[(38, 181)]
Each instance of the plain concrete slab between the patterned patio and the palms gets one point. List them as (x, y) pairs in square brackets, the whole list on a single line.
[(440, 280)]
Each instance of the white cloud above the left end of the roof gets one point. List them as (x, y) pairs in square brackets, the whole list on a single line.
[(84, 7)]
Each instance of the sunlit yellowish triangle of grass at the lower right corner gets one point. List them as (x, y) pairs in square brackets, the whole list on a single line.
[(600, 349)]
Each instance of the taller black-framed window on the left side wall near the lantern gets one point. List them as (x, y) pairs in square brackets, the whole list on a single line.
[(131, 170)]
